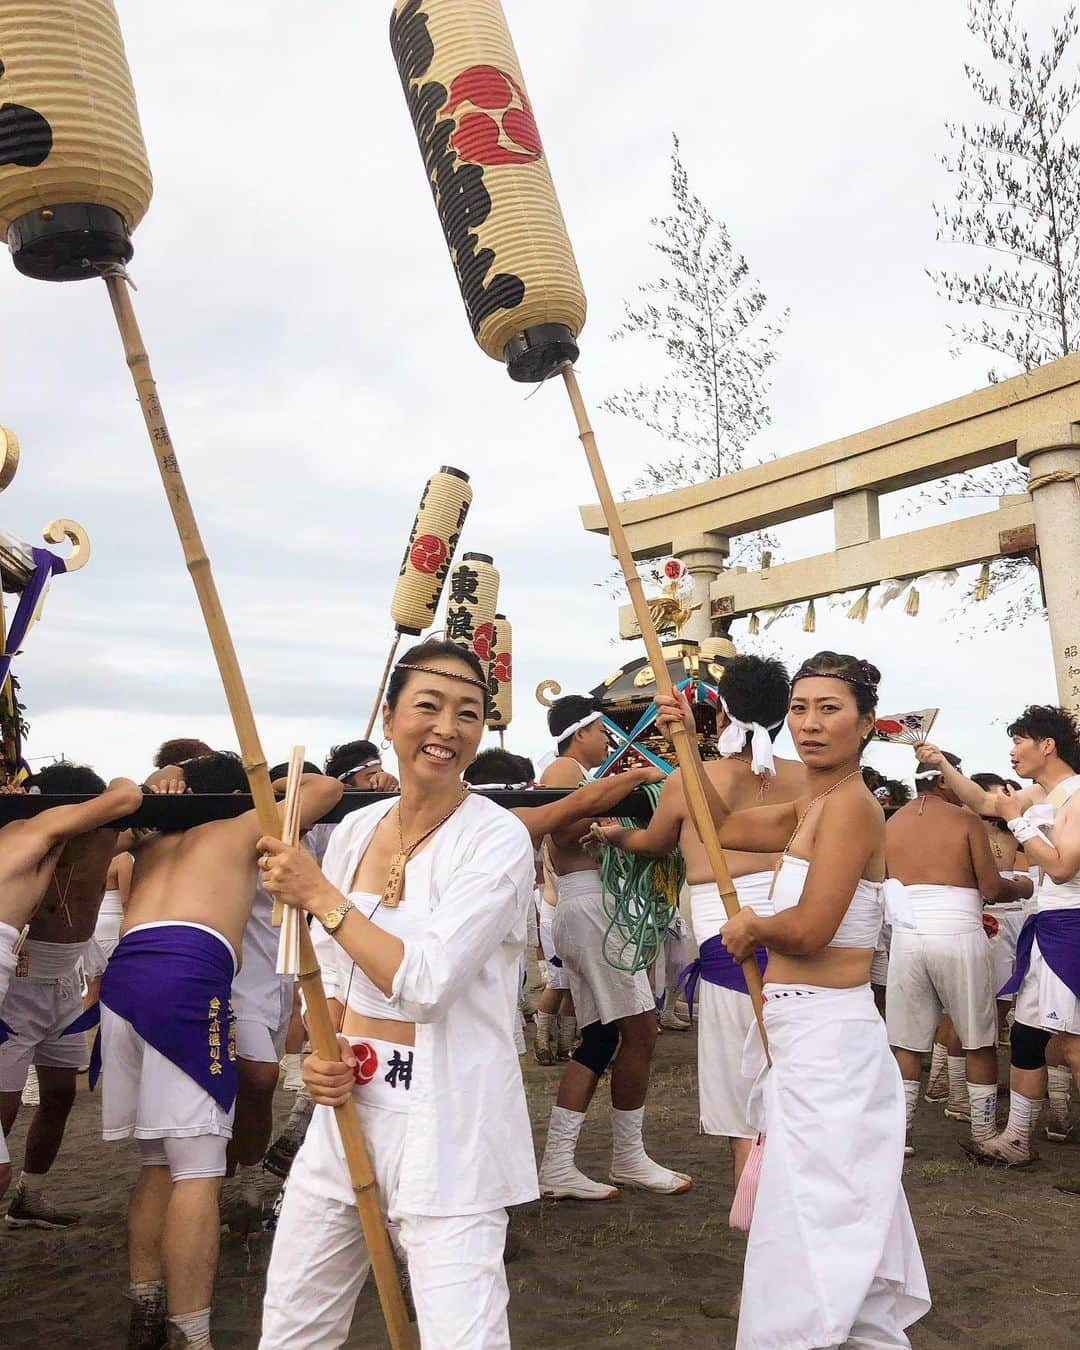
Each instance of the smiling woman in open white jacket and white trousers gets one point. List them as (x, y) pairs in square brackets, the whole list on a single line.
[(426, 897)]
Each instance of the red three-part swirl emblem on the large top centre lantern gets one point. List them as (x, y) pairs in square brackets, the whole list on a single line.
[(506, 132)]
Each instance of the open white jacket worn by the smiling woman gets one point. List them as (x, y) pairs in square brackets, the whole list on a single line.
[(469, 1140)]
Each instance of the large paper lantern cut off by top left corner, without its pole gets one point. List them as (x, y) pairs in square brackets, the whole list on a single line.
[(75, 179)]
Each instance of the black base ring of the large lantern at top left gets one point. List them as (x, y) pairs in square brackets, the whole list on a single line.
[(68, 242)]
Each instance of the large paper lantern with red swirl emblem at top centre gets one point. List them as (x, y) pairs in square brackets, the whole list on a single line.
[(491, 182)]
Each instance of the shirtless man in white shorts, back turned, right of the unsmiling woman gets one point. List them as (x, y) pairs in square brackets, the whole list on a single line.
[(942, 857)]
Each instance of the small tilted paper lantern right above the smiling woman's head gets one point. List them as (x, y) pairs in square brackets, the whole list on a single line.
[(430, 551)]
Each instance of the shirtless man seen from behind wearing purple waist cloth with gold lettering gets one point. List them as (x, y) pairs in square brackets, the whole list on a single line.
[(168, 1044)]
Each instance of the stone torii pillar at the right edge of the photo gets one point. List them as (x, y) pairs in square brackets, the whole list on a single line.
[(1052, 457)]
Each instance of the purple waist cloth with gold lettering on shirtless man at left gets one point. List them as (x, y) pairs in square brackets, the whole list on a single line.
[(172, 983)]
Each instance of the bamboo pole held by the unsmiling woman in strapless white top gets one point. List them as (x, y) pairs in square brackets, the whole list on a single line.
[(686, 747)]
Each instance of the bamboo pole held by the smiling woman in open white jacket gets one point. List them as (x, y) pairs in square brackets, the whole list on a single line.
[(319, 1024)]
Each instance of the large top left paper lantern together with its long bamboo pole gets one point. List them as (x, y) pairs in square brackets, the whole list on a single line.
[(75, 183)]
